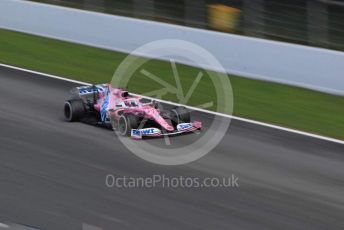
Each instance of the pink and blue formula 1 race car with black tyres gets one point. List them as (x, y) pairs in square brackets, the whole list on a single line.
[(127, 114)]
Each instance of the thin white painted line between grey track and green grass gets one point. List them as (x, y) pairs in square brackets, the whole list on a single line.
[(193, 108)]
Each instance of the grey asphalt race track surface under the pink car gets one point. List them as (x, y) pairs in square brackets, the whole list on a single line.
[(52, 173)]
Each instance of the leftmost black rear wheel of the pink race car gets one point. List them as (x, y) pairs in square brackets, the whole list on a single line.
[(74, 110)]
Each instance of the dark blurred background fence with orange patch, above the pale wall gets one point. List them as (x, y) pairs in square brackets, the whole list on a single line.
[(309, 22)]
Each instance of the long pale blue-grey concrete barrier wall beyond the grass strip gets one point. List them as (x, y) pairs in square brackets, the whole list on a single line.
[(313, 68)]
